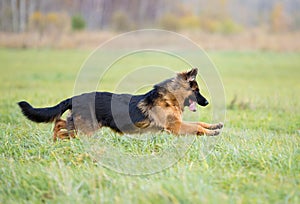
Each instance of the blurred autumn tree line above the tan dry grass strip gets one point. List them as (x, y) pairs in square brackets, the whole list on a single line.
[(220, 16)]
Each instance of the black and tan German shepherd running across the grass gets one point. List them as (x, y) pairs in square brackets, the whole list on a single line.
[(160, 109)]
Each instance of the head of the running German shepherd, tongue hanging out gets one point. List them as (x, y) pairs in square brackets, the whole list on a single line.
[(192, 93)]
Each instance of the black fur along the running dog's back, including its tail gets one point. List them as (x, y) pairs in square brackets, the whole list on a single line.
[(102, 102)]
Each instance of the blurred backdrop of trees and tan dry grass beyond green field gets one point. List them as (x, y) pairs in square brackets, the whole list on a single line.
[(215, 24)]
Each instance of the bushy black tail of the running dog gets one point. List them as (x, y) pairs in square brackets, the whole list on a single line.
[(45, 115)]
